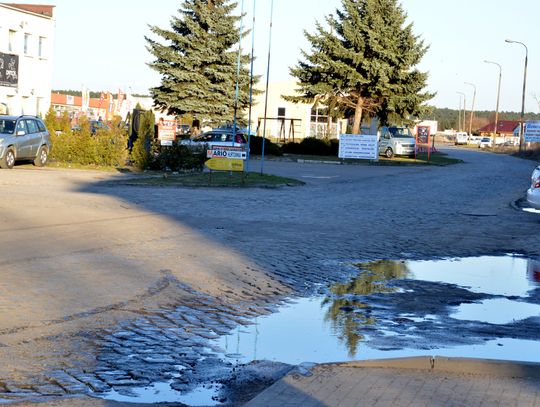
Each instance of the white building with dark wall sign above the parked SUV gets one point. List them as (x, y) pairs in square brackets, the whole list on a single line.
[(26, 40)]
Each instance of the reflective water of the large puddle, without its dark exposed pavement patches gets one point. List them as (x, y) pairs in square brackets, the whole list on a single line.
[(337, 327)]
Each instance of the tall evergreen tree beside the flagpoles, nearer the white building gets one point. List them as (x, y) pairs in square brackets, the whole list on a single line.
[(198, 62)]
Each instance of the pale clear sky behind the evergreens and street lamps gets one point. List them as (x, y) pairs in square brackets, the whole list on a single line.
[(101, 44)]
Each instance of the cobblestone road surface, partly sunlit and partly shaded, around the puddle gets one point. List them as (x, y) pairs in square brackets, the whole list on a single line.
[(109, 287)]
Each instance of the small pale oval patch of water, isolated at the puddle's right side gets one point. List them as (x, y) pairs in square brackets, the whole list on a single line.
[(499, 311)]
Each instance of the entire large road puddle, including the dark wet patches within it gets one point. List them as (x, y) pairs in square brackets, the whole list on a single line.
[(475, 307)]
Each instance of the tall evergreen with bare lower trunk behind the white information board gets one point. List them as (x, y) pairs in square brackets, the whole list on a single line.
[(364, 62)]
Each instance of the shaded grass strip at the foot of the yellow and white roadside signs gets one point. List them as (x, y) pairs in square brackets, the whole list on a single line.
[(213, 179)]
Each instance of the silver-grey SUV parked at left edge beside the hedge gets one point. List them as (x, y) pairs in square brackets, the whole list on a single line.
[(23, 138)]
